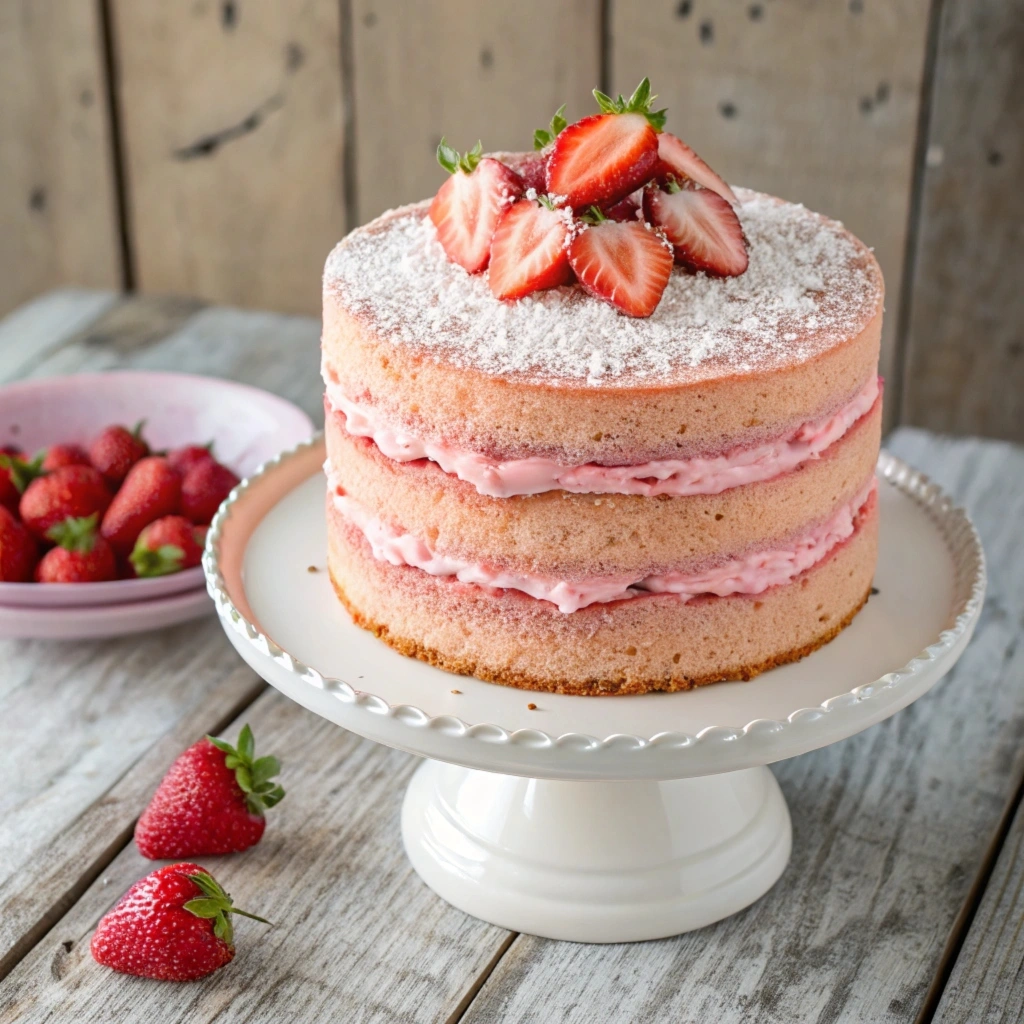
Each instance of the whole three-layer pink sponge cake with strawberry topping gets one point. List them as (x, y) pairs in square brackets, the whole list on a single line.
[(562, 490)]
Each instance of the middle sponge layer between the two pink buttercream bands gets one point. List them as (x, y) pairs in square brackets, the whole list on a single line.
[(580, 536)]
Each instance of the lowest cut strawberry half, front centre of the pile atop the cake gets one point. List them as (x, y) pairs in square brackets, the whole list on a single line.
[(625, 264)]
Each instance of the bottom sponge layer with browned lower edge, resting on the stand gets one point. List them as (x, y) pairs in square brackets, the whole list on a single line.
[(651, 643)]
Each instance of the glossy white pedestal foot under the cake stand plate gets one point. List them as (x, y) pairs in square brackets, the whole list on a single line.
[(596, 862)]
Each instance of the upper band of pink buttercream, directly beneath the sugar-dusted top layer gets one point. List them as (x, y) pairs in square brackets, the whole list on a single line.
[(662, 477)]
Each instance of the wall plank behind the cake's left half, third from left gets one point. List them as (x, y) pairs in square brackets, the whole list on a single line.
[(464, 70)]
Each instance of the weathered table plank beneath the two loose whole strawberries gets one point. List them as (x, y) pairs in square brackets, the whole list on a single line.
[(357, 936)]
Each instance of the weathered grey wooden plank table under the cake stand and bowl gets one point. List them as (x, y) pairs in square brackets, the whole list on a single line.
[(904, 902)]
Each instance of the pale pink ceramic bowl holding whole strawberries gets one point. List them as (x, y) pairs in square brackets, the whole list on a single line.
[(247, 426)]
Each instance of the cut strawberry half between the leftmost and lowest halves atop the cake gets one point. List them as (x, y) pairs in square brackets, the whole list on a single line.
[(529, 250)]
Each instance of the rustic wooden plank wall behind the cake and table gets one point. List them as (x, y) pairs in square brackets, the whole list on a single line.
[(218, 149)]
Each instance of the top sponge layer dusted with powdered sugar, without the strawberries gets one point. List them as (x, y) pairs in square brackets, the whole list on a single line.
[(723, 364)]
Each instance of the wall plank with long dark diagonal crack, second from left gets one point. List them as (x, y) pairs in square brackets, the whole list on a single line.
[(233, 140)]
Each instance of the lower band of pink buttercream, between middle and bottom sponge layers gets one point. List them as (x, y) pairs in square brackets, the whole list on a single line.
[(751, 574)]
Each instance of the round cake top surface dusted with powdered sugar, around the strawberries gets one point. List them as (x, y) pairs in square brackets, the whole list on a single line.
[(810, 286)]
